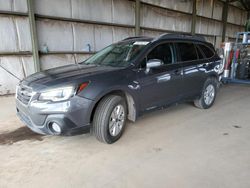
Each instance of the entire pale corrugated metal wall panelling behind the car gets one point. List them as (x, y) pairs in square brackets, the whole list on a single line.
[(67, 29)]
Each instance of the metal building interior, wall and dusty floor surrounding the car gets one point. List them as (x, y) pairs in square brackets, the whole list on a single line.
[(180, 147)]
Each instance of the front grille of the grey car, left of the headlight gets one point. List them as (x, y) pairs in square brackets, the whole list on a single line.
[(24, 94)]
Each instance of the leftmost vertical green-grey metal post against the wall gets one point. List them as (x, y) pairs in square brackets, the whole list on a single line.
[(33, 33)]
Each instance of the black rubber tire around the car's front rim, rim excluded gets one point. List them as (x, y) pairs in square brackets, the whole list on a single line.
[(102, 118)]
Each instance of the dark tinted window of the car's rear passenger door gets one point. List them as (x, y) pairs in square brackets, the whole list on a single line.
[(187, 51)]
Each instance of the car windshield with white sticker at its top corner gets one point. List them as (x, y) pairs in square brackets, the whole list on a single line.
[(117, 55)]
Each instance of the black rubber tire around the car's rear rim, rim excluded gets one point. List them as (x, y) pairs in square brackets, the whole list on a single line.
[(201, 101)]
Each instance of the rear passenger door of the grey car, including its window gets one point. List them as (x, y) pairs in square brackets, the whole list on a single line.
[(192, 62)]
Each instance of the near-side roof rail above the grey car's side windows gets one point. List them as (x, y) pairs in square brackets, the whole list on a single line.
[(181, 36)]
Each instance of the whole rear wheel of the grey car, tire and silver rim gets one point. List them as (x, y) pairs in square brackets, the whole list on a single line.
[(208, 94)]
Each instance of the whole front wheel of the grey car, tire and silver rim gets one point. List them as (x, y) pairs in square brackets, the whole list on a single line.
[(109, 119)]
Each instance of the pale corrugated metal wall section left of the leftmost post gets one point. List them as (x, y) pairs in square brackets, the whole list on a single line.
[(14, 38)]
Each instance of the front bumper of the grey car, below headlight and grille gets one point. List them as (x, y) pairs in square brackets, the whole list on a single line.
[(73, 116)]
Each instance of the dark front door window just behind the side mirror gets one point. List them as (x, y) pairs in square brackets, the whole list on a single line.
[(163, 52)]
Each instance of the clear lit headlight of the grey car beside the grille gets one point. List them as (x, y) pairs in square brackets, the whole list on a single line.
[(57, 94)]
